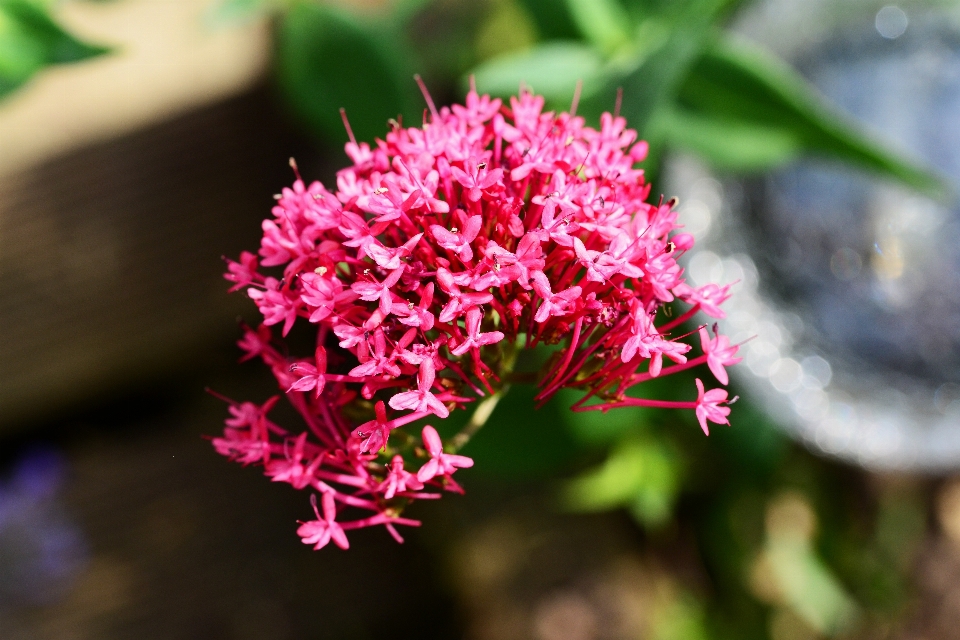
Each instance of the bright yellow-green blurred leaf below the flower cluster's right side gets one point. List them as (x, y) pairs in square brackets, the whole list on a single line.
[(642, 474)]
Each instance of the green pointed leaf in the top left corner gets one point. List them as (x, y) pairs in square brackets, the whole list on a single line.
[(30, 40)]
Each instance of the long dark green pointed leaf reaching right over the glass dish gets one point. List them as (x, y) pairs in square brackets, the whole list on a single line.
[(736, 82)]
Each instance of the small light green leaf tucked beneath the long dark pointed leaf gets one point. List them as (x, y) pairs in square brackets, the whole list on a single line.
[(731, 145)]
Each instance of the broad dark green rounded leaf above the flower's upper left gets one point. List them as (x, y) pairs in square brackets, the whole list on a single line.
[(328, 60)]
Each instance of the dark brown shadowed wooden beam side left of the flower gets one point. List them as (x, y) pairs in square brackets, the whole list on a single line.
[(110, 257)]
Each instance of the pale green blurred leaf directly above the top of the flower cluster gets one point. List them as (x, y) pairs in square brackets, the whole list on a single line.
[(552, 70)]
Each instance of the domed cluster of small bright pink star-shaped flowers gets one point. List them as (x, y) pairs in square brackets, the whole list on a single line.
[(442, 251)]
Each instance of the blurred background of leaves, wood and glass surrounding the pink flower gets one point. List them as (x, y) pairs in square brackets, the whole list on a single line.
[(815, 149)]
